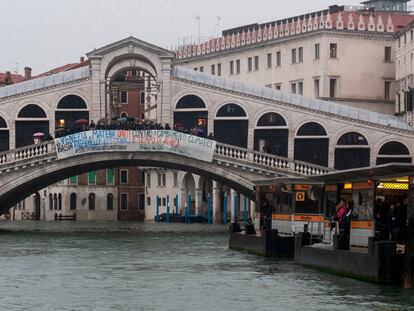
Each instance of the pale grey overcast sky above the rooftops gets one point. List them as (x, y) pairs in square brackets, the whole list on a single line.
[(43, 34)]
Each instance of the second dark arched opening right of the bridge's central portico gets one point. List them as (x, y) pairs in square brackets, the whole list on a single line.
[(231, 125)]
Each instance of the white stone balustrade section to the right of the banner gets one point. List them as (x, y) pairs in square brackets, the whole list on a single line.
[(269, 160)]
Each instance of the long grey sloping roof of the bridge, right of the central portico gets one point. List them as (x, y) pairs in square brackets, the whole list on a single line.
[(293, 99)]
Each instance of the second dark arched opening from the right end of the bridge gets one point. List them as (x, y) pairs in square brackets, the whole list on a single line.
[(352, 151)]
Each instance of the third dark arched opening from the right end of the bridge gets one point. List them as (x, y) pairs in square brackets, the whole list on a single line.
[(312, 144)]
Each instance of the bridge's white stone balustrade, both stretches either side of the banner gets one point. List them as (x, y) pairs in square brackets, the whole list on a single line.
[(265, 160)]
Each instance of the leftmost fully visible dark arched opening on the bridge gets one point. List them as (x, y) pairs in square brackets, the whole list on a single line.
[(31, 119)]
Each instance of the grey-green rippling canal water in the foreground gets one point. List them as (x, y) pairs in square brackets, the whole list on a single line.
[(165, 268)]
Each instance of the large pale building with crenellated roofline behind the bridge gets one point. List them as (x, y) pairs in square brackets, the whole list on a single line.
[(328, 54)]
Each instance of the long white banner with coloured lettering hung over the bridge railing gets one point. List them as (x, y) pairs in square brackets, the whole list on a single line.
[(145, 141)]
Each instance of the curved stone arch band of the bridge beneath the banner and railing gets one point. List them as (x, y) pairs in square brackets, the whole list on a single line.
[(31, 179)]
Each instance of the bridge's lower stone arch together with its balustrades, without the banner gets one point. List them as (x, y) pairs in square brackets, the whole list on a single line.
[(27, 170)]
